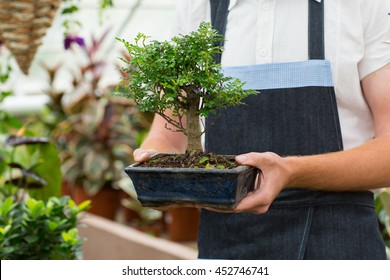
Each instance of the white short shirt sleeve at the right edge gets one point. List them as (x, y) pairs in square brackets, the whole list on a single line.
[(376, 28)]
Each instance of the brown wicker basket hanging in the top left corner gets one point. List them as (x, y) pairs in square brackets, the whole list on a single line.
[(23, 24)]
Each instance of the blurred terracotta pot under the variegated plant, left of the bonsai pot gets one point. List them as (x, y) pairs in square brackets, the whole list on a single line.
[(105, 203)]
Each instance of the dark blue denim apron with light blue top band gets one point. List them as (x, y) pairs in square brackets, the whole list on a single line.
[(295, 114)]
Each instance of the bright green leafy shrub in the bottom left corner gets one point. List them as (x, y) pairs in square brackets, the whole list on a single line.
[(33, 229)]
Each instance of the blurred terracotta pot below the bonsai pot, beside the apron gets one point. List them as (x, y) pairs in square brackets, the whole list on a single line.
[(182, 223)]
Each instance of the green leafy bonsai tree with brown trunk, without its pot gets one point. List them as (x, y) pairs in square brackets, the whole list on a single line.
[(181, 76)]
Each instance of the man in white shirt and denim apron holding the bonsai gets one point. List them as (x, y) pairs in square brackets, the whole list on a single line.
[(319, 132)]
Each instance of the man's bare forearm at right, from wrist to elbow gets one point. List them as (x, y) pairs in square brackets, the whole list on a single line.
[(364, 167)]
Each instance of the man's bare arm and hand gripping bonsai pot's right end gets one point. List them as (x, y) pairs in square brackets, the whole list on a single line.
[(361, 168)]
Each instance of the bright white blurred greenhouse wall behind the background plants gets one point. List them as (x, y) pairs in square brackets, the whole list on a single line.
[(152, 17)]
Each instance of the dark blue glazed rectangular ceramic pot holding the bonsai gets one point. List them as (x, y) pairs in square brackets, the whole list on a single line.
[(217, 188)]
